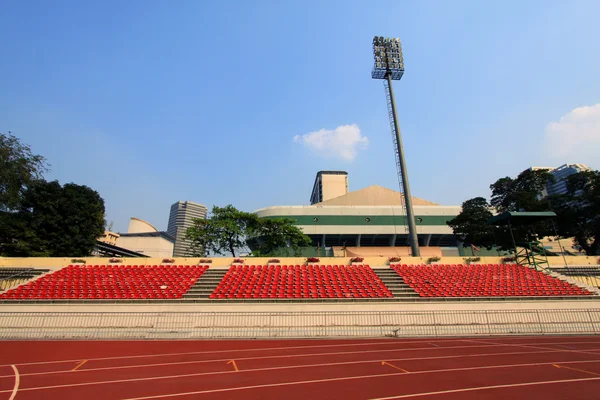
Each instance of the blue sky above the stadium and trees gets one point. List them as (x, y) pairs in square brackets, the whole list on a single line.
[(150, 102)]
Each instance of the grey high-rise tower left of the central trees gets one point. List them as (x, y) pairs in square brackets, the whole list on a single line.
[(182, 217)]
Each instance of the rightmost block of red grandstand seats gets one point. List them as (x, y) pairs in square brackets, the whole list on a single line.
[(493, 280)]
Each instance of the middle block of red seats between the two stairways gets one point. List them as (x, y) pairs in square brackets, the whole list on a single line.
[(300, 281)]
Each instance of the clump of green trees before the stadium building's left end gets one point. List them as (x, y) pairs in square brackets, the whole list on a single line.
[(228, 230)]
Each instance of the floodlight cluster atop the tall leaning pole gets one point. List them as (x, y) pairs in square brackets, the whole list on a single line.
[(388, 58)]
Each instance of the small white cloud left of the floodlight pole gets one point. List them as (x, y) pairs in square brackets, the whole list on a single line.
[(342, 142)]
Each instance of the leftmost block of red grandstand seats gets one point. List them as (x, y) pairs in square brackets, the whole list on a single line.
[(110, 282)]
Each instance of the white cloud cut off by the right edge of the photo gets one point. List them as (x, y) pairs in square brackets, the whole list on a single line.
[(575, 138)]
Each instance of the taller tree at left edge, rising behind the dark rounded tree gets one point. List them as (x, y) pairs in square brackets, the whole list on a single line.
[(19, 167)]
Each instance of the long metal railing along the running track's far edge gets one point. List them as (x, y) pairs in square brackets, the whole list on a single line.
[(209, 325)]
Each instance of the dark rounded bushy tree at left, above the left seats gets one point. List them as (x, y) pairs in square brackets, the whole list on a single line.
[(55, 221)]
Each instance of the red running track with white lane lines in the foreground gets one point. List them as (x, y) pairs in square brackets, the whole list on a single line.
[(559, 367)]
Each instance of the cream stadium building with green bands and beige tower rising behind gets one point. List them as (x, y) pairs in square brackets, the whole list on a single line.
[(367, 222)]
